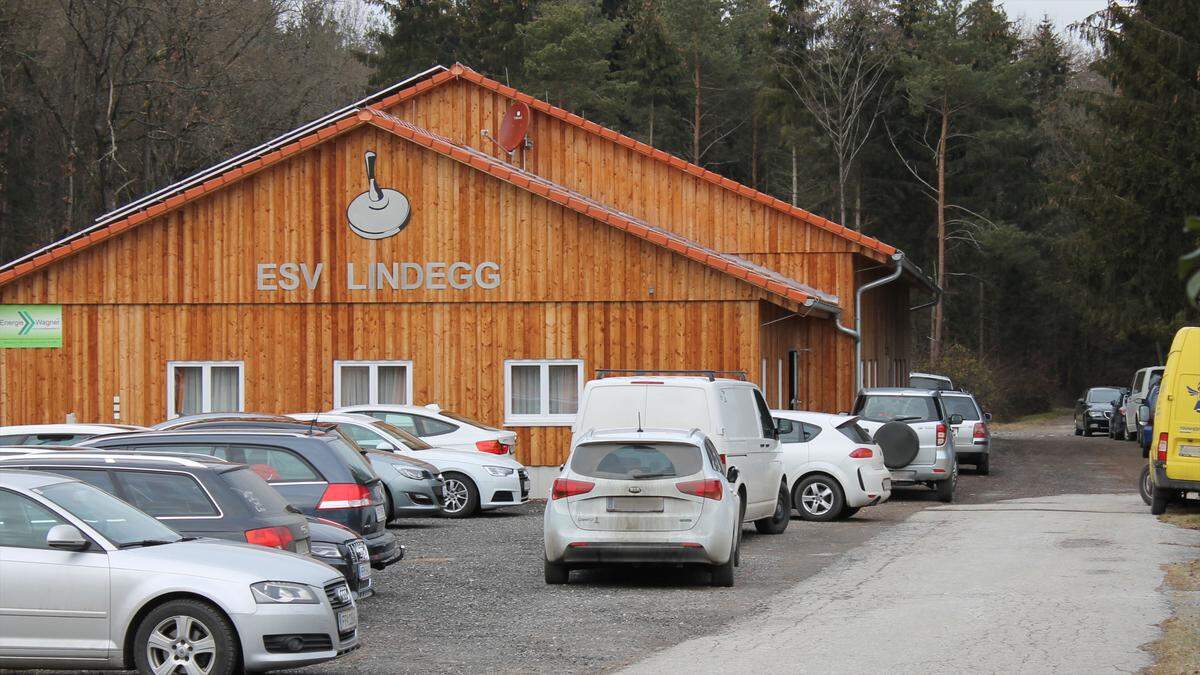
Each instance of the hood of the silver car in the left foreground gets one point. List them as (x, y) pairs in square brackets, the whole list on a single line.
[(217, 559)]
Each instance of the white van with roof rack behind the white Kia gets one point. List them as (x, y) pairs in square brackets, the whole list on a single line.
[(731, 413)]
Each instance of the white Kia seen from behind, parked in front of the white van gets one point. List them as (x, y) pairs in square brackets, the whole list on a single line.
[(649, 497)]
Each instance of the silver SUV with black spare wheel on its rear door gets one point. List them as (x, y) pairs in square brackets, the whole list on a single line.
[(916, 434)]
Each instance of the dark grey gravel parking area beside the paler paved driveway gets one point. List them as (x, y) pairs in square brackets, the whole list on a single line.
[(471, 596)]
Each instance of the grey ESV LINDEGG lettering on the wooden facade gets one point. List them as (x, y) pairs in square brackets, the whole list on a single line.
[(379, 277)]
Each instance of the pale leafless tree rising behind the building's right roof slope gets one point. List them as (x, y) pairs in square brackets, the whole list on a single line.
[(839, 80)]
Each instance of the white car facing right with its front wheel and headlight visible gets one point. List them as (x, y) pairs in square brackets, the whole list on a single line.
[(475, 481)]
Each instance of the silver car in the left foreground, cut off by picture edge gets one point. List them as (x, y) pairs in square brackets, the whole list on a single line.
[(104, 586)]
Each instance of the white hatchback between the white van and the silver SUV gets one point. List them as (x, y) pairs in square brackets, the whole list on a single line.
[(835, 467)]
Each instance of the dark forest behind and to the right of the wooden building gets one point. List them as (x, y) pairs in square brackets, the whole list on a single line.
[(1041, 174)]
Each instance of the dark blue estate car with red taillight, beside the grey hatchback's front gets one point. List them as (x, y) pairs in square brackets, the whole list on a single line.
[(319, 474)]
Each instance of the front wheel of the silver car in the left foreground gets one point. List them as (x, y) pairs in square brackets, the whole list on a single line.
[(201, 624)]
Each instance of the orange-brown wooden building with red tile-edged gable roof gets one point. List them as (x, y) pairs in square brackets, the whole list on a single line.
[(494, 285)]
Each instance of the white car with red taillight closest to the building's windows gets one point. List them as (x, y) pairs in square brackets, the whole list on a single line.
[(442, 428)]
